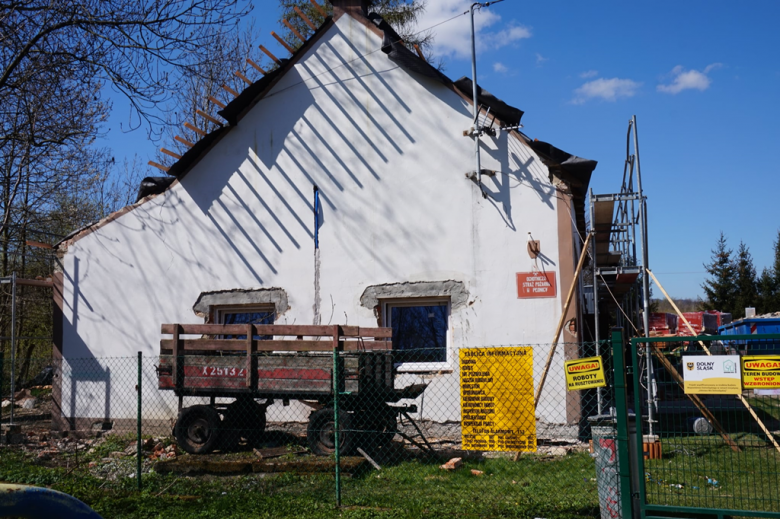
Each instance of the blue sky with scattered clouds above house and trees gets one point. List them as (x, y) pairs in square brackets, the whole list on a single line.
[(703, 79)]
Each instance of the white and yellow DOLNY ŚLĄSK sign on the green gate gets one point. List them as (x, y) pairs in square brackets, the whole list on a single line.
[(712, 374)]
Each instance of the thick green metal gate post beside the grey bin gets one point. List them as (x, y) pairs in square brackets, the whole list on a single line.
[(621, 408)]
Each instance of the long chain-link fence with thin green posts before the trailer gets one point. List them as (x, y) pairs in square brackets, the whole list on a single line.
[(399, 432)]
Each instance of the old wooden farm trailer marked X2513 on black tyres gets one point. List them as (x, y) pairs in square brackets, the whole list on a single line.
[(244, 368)]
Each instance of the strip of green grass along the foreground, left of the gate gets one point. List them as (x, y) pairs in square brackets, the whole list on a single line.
[(532, 487)]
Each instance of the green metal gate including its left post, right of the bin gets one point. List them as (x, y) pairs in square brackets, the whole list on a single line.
[(704, 455)]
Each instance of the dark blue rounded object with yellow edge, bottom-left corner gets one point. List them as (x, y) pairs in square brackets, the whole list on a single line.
[(41, 503)]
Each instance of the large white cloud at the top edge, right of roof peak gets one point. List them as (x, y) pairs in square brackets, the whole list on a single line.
[(453, 38)]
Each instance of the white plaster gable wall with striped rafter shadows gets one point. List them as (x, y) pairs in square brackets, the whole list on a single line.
[(387, 152)]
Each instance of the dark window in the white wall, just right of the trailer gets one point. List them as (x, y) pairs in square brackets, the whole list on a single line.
[(419, 331)]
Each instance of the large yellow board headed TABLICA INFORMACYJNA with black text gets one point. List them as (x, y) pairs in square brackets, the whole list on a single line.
[(497, 399)]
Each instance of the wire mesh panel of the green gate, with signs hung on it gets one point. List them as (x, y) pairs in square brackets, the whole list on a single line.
[(713, 409)]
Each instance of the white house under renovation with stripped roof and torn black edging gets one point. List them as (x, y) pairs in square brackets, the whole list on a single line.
[(341, 189)]
